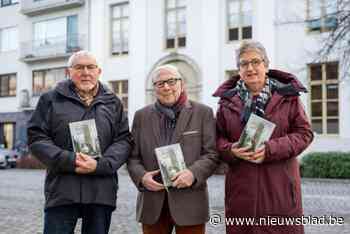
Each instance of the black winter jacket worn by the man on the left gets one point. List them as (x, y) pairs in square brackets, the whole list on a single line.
[(50, 141)]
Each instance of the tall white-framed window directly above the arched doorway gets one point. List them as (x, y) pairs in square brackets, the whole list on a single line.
[(175, 23)]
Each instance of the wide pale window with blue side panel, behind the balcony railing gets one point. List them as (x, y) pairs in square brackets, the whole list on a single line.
[(57, 34)]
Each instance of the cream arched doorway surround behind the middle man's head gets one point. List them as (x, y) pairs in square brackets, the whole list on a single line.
[(189, 70)]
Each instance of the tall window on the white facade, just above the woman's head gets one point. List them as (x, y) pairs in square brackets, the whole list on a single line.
[(239, 19)]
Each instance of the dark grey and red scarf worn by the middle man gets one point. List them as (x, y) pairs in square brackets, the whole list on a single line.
[(169, 116)]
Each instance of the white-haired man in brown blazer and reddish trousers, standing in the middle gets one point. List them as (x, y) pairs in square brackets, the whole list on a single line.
[(173, 119)]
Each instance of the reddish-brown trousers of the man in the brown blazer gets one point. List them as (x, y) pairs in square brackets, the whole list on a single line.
[(166, 224)]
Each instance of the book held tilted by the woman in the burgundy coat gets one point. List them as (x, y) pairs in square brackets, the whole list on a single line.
[(256, 132)]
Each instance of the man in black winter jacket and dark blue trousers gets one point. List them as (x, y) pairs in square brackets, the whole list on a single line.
[(78, 185)]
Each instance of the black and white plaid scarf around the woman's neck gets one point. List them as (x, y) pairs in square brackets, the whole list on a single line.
[(256, 104)]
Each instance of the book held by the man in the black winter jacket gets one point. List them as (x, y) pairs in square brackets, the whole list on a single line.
[(84, 138)]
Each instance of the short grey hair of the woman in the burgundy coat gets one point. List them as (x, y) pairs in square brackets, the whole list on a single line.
[(252, 46)]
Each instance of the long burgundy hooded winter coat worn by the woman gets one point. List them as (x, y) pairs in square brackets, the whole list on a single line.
[(271, 188)]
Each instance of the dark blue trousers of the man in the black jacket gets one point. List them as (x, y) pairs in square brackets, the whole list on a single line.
[(96, 219)]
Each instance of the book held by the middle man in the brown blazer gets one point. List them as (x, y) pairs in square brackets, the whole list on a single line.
[(171, 161)]
